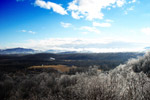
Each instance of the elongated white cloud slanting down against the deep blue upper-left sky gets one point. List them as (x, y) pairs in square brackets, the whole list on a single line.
[(48, 5)]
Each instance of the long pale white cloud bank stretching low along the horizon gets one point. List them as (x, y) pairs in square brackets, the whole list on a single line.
[(84, 45)]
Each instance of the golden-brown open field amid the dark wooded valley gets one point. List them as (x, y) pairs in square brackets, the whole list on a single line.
[(62, 68)]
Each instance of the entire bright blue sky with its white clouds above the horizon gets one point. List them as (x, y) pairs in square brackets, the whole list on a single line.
[(76, 25)]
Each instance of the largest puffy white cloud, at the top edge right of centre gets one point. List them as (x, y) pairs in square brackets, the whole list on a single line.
[(92, 9)]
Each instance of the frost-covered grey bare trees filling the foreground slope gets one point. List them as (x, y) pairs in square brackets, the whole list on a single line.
[(120, 83)]
